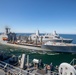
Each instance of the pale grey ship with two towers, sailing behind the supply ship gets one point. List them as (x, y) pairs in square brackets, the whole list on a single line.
[(53, 37)]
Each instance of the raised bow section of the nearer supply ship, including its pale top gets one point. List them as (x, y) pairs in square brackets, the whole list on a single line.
[(60, 47)]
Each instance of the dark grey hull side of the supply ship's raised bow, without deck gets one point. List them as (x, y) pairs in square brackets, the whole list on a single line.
[(52, 48)]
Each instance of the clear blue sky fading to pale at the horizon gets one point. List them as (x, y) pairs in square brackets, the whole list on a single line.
[(27, 16)]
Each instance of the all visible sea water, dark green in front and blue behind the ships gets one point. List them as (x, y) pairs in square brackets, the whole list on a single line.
[(55, 58)]
